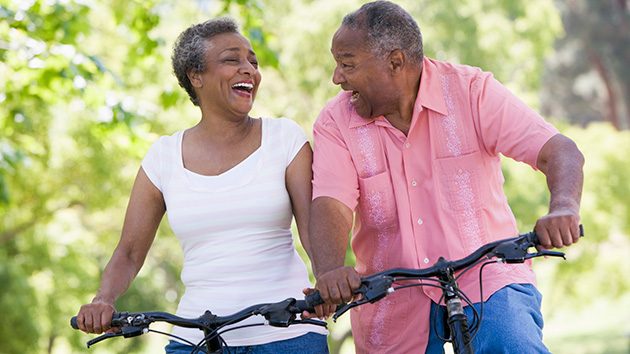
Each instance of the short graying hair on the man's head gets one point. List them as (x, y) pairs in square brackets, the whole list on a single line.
[(389, 27)]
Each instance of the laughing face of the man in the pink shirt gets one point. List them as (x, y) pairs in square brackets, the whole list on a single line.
[(358, 70)]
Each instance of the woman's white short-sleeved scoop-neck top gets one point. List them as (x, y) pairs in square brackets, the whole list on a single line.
[(235, 232)]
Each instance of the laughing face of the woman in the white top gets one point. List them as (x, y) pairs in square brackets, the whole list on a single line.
[(231, 78)]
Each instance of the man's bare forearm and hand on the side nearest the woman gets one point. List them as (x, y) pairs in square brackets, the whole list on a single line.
[(329, 227)]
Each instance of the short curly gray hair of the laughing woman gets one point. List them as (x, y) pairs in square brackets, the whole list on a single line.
[(190, 50)]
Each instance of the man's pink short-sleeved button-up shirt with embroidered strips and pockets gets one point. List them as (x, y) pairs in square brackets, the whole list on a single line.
[(436, 192)]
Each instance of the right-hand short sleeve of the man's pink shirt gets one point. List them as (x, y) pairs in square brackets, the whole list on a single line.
[(506, 124)]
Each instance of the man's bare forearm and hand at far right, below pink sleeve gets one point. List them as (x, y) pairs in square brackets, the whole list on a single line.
[(561, 162)]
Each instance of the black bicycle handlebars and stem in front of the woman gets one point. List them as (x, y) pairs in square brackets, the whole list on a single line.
[(279, 314)]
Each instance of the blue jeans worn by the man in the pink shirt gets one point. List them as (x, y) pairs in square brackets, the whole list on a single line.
[(512, 323)]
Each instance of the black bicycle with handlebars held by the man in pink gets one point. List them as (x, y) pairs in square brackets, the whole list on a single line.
[(442, 275)]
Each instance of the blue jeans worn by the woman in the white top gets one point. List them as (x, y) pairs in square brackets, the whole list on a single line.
[(309, 343)]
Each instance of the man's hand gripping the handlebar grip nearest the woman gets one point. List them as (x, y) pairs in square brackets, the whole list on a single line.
[(338, 285)]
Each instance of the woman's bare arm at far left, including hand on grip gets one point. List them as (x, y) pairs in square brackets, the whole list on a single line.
[(144, 213)]
